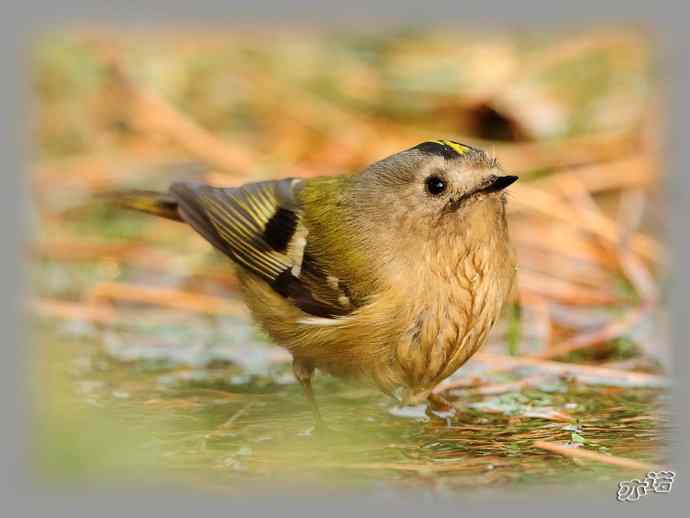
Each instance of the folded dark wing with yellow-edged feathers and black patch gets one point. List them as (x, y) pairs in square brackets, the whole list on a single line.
[(259, 226)]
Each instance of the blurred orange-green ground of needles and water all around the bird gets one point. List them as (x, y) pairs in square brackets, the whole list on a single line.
[(147, 366)]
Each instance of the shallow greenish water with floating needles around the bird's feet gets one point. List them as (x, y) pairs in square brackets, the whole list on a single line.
[(208, 402)]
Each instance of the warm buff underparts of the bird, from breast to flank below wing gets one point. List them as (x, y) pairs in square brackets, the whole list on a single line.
[(405, 343)]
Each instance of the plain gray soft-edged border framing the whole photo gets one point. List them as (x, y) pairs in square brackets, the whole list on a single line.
[(20, 495)]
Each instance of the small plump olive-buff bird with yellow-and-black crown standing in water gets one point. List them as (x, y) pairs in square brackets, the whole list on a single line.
[(392, 276)]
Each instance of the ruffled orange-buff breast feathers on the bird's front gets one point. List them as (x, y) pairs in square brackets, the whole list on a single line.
[(454, 307)]
